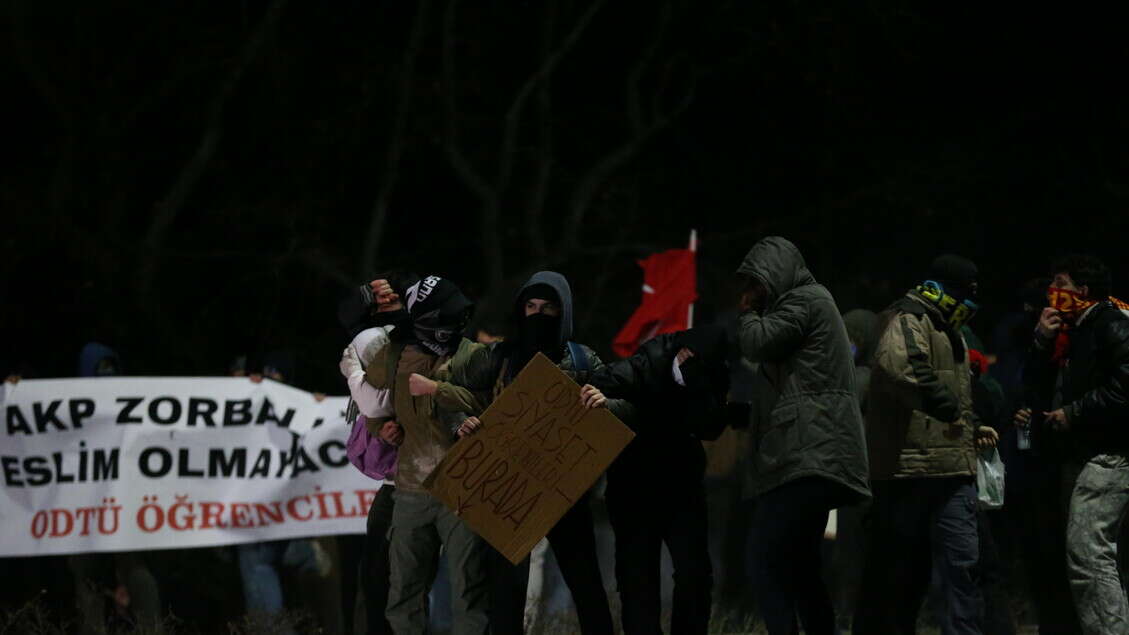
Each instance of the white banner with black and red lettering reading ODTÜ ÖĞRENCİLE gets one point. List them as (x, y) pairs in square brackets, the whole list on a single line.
[(125, 464)]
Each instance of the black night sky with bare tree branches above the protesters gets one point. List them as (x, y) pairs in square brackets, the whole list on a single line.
[(188, 182)]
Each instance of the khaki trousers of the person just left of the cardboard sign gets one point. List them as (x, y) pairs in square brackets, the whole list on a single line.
[(421, 527)]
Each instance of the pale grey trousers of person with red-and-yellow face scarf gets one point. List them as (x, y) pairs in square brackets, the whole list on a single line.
[(1098, 506)]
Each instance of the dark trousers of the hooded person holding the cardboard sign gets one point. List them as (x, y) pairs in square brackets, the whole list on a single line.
[(574, 544)]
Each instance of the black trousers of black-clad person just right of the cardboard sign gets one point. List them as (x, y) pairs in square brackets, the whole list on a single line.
[(643, 524)]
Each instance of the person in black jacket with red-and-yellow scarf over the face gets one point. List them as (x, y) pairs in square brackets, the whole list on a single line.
[(1078, 379)]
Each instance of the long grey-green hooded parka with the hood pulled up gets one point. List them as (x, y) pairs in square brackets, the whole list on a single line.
[(812, 425)]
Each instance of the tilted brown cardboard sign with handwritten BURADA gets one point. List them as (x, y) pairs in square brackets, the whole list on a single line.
[(538, 453)]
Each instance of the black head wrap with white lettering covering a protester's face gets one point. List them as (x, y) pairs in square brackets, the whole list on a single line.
[(439, 314)]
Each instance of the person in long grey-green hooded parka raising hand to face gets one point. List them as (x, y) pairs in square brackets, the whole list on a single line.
[(809, 455)]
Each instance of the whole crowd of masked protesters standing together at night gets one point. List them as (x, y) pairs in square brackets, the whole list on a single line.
[(802, 468)]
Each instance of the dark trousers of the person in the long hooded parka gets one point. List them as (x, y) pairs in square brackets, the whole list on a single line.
[(786, 545)]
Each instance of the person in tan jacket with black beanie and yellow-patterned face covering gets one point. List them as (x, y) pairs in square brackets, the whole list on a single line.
[(923, 438)]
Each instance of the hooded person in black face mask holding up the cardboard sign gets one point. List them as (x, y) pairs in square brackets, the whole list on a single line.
[(541, 321)]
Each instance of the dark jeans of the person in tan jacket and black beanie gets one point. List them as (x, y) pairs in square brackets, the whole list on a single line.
[(920, 525)]
